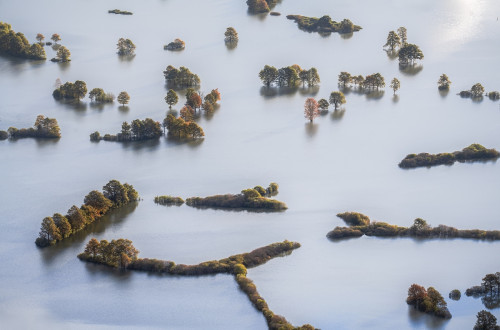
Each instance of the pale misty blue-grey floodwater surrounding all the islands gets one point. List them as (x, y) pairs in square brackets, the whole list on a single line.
[(345, 161)]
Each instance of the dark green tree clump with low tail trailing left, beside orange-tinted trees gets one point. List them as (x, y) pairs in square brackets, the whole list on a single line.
[(138, 130)]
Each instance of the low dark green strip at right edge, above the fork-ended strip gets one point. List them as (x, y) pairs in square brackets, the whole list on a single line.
[(474, 152)]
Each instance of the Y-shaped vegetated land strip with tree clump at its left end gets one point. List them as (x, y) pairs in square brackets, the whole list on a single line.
[(122, 254)]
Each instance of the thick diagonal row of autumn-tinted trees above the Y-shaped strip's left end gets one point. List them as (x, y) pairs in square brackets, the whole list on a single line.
[(96, 204)]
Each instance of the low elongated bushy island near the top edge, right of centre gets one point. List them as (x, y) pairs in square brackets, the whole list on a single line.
[(324, 24)]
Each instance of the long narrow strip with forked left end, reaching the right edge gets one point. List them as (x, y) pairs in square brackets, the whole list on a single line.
[(360, 225)]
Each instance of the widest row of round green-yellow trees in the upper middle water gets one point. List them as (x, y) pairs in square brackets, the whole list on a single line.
[(290, 76)]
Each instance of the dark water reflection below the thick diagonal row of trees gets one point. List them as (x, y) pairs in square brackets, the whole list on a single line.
[(115, 217)]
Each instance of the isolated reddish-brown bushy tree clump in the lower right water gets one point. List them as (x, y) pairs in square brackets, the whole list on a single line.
[(428, 301)]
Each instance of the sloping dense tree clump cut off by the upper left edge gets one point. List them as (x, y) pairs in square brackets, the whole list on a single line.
[(16, 44)]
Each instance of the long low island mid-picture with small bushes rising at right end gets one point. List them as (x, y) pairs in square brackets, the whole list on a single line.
[(249, 199)]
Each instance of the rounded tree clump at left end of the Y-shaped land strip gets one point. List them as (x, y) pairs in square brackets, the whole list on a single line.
[(117, 253)]
